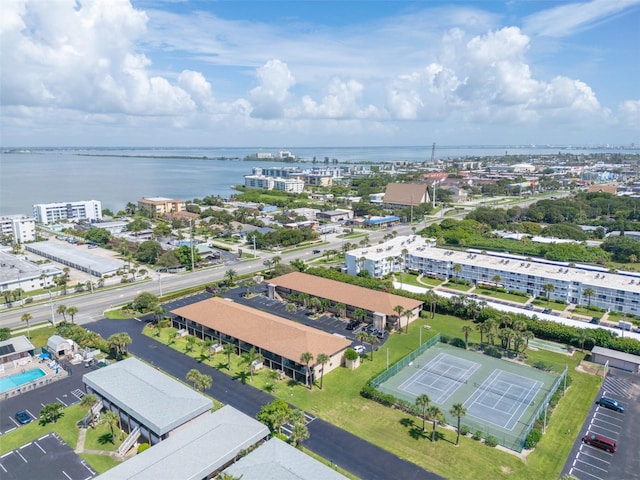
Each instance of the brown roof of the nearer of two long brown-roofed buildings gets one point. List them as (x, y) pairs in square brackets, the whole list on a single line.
[(269, 332)]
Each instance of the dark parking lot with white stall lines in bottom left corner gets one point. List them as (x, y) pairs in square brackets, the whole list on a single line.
[(47, 457)]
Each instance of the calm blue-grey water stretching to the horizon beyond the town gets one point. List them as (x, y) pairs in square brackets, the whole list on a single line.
[(116, 176)]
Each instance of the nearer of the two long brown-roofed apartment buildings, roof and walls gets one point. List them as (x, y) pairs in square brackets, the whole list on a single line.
[(280, 341)]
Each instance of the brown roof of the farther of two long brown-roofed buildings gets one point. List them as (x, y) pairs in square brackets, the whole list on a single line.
[(359, 297)]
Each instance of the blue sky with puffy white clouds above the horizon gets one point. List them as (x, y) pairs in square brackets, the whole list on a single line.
[(319, 73)]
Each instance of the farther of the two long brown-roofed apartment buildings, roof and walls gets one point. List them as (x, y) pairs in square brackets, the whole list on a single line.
[(380, 307)]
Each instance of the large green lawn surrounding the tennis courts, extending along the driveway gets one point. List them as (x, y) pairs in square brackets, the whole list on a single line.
[(340, 403)]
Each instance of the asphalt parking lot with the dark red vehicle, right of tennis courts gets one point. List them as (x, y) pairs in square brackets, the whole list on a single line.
[(590, 463)]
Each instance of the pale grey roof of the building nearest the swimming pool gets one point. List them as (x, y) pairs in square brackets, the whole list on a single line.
[(148, 395)]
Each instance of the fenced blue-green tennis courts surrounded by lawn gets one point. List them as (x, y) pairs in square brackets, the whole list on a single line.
[(502, 398)]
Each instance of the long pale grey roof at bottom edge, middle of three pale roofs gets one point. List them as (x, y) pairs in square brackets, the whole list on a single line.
[(196, 451)]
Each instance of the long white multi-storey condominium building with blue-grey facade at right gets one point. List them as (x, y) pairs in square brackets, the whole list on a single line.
[(562, 281)]
